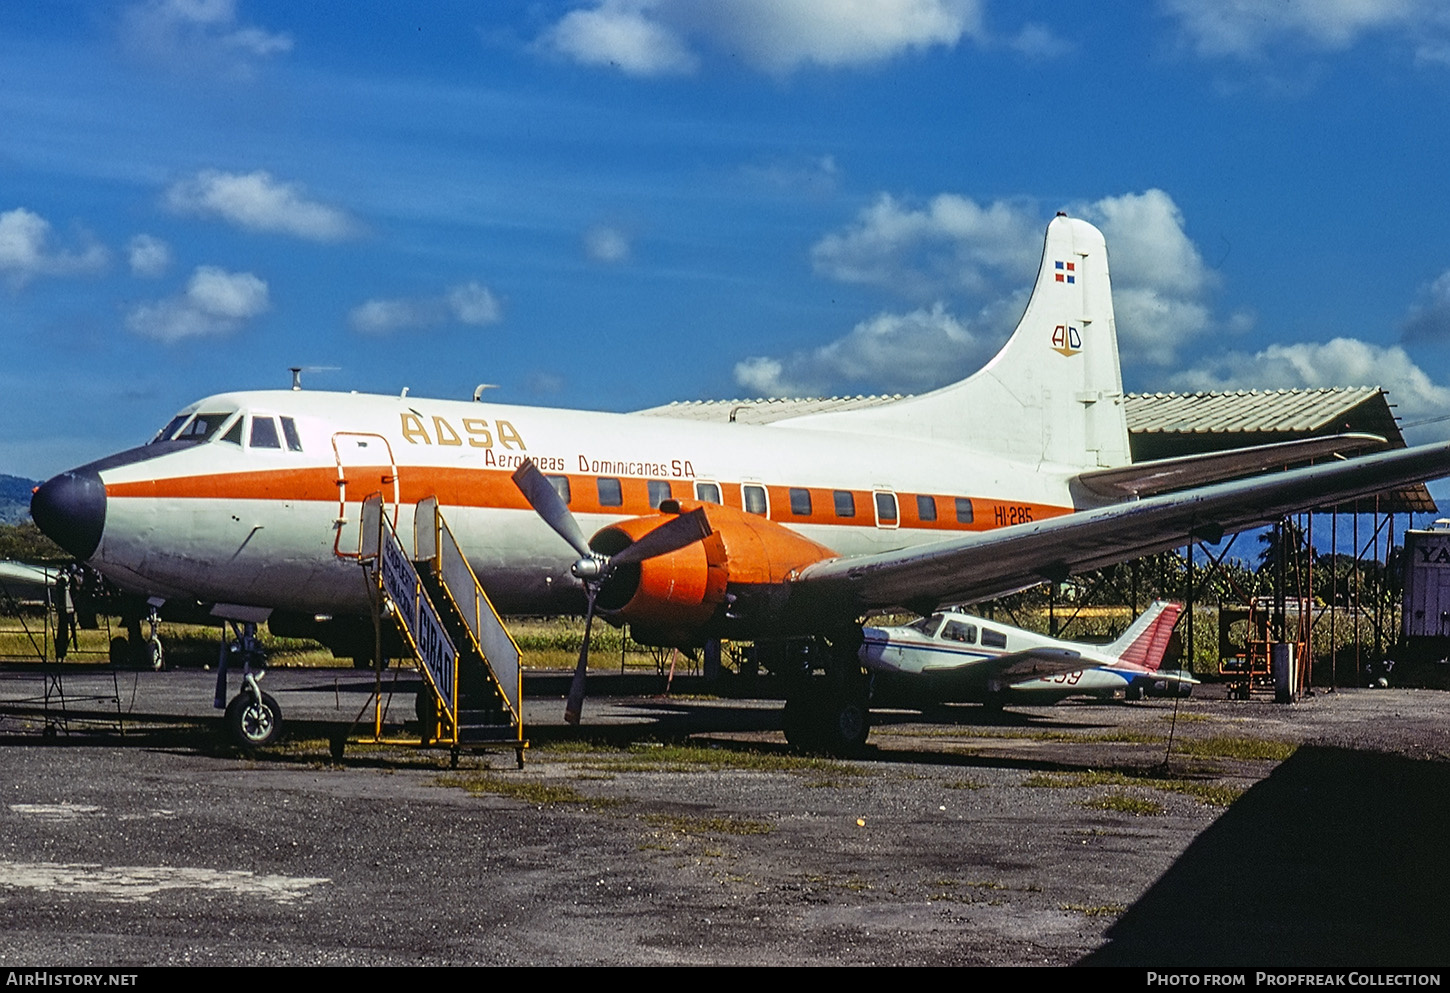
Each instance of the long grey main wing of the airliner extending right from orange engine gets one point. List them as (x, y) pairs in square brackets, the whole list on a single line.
[(985, 565)]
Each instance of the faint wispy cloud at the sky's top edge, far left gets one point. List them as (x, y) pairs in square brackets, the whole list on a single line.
[(199, 36)]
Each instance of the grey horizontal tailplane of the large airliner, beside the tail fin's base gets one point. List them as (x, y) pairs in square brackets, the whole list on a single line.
[(1164, 475)]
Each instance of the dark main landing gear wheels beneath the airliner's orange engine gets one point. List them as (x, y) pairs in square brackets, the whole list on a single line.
[(832, 712)]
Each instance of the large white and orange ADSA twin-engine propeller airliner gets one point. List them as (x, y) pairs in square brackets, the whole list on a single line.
[(782, 534)]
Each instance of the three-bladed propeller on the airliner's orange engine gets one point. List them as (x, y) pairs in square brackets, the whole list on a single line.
[(595, 569)]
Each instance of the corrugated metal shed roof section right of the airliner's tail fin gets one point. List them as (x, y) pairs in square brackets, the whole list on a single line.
[(1248, 411)]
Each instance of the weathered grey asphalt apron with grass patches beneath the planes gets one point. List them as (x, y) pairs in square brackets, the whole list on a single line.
[(682, 831)]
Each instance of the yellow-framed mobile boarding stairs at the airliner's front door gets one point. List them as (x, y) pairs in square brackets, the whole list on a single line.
[(473, 682)]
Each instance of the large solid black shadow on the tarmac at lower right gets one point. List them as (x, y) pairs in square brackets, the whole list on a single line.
[(1336, 859)]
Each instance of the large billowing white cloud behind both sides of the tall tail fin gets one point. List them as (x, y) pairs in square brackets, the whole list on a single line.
[(981, 259)]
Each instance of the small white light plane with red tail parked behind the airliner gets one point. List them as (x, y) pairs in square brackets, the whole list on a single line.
[(958, 657)]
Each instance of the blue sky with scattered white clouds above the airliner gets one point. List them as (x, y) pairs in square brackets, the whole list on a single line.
[(617, 204)]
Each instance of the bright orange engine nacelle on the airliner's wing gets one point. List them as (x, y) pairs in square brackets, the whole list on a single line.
[(682, 591)]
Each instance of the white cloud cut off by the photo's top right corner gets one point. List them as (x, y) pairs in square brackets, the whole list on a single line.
[(1246, 28)]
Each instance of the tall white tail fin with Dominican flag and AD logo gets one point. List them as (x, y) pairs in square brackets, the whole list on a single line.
[(1052, 395)]
